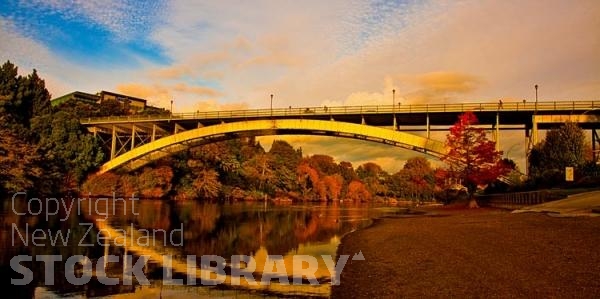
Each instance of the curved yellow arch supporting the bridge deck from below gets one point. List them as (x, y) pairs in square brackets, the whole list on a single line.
[(168, 145)]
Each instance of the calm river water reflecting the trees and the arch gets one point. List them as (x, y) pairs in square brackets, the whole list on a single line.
[(127, 229)]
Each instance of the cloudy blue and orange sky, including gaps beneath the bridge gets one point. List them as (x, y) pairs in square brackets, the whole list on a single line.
[(212, 55)]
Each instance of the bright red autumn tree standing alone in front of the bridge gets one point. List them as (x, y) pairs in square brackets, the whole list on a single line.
[(472, 157)]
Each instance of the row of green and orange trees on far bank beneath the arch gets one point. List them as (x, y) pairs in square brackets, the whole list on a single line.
[(241, 169)]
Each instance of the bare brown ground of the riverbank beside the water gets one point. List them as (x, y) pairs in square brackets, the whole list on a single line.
[(473, 253)]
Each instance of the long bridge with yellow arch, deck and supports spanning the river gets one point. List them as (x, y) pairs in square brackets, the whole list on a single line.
[(136, 140)]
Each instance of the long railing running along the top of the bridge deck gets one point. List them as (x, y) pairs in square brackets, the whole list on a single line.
[(370, 109)]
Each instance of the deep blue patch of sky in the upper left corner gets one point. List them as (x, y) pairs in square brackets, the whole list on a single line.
[(86, 38)]
